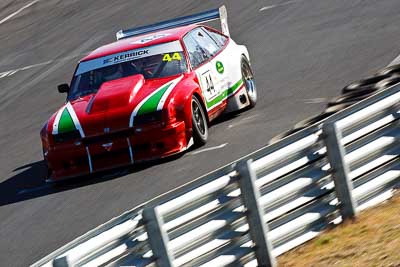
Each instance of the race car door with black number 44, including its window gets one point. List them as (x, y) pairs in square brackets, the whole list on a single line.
[(201, 50)]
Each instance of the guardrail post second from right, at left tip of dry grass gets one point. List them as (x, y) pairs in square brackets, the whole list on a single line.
[(255, 215)]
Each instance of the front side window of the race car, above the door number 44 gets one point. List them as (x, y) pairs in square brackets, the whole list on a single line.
[(200, 46)]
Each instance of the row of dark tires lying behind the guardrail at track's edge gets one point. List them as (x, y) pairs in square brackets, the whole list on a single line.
[(350, 95)]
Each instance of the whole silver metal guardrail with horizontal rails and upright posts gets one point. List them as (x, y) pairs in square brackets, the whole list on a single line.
[(264, 204)]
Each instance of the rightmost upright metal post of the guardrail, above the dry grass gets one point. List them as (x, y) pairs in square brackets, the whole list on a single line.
[(340, 170)]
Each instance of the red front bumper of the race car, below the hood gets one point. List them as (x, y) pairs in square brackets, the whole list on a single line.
[(103, 152)]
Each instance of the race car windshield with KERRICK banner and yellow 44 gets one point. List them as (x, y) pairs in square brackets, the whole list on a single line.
[(152, 62)]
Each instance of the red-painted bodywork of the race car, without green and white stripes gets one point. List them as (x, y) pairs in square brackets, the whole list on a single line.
[(105, 116)]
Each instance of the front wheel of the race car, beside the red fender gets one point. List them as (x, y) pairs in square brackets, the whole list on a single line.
[(199, 123)]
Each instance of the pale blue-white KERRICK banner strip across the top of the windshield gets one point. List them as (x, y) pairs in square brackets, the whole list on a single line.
[(128, 56)]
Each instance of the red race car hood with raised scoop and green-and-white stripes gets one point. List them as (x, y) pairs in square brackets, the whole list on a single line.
[(114, 106)]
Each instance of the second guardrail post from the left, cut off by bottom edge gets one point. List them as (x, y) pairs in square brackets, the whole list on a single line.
[(158, 237)]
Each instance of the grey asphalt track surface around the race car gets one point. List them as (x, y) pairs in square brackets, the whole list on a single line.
[(302, 53)]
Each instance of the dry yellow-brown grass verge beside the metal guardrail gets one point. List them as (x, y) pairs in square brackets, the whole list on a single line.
[(373, 239)]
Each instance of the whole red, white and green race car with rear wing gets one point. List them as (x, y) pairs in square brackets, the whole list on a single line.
[(149, 95)]
